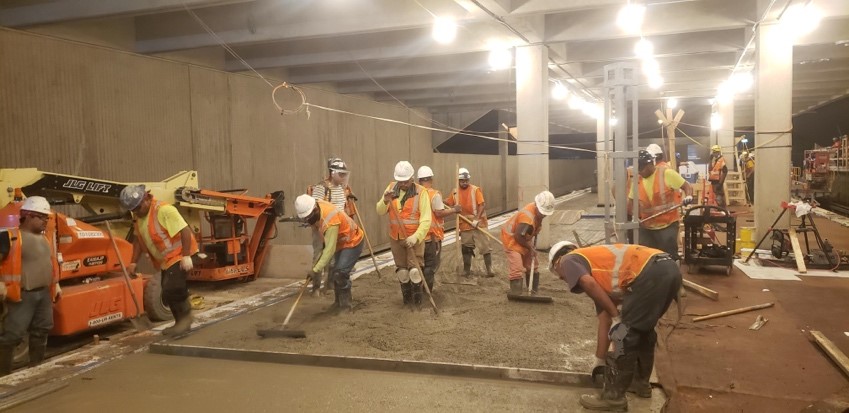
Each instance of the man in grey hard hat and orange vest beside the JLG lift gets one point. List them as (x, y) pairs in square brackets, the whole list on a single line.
[(165, 236)]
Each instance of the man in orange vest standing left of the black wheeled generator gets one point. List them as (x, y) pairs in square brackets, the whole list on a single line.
[(658, 194)]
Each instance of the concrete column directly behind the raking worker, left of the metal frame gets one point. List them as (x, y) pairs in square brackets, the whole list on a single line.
[(532, 127)]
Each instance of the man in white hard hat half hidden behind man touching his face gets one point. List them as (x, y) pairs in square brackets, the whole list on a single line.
[(433, 242)]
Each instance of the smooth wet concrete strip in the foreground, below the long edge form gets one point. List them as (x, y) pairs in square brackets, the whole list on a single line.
[(150, 383)]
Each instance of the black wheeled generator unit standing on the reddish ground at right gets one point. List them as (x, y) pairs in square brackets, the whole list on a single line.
[(701, 245)]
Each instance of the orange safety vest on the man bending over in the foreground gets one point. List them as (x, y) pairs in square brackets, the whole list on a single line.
[(615, 267)]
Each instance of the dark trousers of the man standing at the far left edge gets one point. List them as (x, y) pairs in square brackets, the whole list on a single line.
[(33, 315)]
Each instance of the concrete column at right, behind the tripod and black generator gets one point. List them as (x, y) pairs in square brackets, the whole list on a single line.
[(773, 113)]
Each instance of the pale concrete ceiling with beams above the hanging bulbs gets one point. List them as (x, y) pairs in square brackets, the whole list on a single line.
[(383, 48)]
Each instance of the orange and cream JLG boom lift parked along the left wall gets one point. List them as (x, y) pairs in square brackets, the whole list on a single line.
[(94, 293)]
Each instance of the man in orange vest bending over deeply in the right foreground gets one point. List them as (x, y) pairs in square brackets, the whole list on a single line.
[(644, 281)]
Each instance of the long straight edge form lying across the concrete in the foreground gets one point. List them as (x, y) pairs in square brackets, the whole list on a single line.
[(367, 363)]
